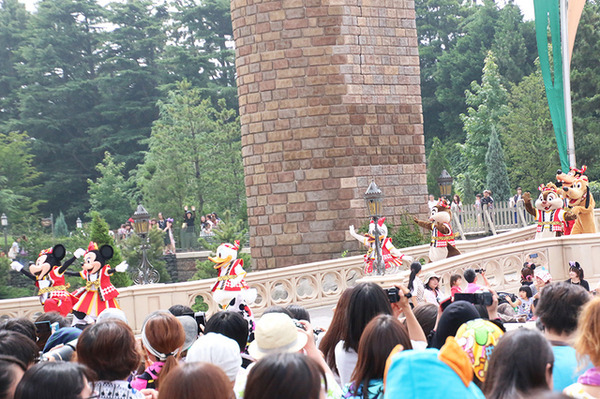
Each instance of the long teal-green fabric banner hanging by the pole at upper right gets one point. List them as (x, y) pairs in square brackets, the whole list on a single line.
[(547, 13)]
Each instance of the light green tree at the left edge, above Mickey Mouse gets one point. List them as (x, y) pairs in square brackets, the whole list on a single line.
[(19, 178)]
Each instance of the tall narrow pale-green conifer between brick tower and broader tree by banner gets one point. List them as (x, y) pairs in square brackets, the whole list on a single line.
[(487, 104)]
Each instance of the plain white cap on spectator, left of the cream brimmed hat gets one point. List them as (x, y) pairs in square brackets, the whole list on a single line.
[(218, 350)]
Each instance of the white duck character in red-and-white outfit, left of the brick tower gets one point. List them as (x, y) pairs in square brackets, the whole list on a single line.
[(230, 282)]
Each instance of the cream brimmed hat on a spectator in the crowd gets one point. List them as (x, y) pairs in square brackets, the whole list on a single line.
[(276, 333)]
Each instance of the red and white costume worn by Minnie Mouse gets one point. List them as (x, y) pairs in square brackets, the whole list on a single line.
[(98, 293)]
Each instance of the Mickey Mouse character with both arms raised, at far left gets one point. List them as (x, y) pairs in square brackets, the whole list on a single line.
[(49, 277)]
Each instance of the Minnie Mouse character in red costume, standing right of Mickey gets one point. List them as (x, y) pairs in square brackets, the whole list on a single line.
[(98, 293)]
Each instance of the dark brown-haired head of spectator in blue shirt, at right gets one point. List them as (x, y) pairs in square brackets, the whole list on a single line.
[(559, 306)]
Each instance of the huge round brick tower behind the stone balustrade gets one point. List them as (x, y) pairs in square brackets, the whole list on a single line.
[(329, 98)]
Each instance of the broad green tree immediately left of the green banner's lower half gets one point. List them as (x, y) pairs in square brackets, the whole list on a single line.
[(529, 143)]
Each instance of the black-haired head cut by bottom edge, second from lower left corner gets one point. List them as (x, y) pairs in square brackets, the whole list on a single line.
[(49, 380)]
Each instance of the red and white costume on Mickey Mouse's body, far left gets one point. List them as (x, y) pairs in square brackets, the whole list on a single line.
[(53, 292)]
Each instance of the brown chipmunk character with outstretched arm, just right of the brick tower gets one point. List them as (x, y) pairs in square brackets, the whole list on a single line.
[(442, 238)]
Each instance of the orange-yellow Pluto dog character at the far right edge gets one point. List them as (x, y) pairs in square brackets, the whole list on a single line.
[(579, 199)]
